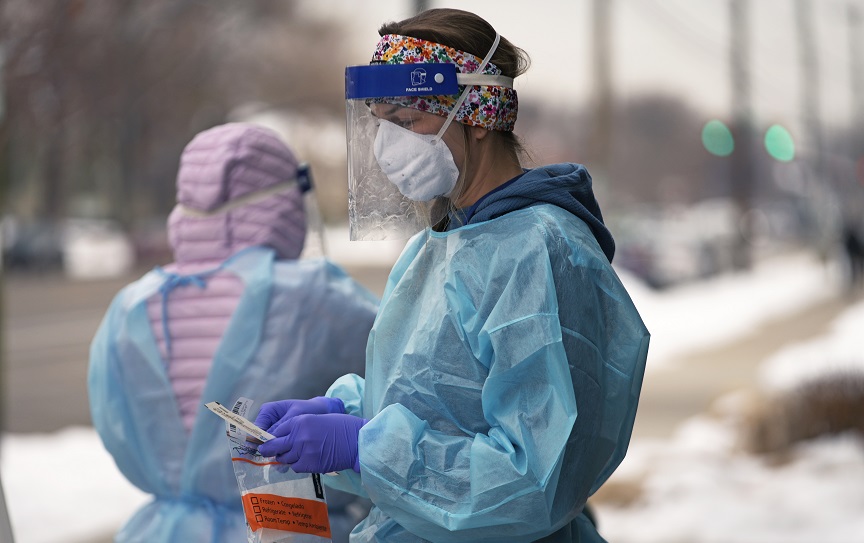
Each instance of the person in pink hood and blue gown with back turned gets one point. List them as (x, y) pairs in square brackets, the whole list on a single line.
[(236, 314)]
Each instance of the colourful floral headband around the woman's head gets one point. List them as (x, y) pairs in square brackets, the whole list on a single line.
[(491, 106)]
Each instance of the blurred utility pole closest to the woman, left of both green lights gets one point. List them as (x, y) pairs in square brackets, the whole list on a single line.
[(602, 80)]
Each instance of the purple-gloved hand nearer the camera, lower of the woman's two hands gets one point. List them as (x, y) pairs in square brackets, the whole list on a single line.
[(317, 443)]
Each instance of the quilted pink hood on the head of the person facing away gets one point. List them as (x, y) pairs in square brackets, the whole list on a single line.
[(221, 165)]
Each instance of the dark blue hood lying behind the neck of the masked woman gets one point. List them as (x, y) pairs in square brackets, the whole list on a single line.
[(567, 186)]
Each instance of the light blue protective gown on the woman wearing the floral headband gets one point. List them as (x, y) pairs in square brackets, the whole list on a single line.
[(503, 374)]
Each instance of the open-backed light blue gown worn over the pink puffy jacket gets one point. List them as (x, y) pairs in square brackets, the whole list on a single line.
[(297, 326)]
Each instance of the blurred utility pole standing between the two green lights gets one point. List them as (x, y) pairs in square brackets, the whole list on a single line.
[(742, 166)]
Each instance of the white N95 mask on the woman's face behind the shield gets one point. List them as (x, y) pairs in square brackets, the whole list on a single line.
[(420, 165)]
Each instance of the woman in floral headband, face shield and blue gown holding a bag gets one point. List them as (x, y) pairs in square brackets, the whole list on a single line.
[(504, 367)]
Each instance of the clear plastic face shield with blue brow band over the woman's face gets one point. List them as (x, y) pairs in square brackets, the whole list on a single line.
[(383, 133)]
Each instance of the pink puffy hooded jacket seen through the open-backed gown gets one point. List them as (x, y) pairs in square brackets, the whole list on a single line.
[(217, 167)]
